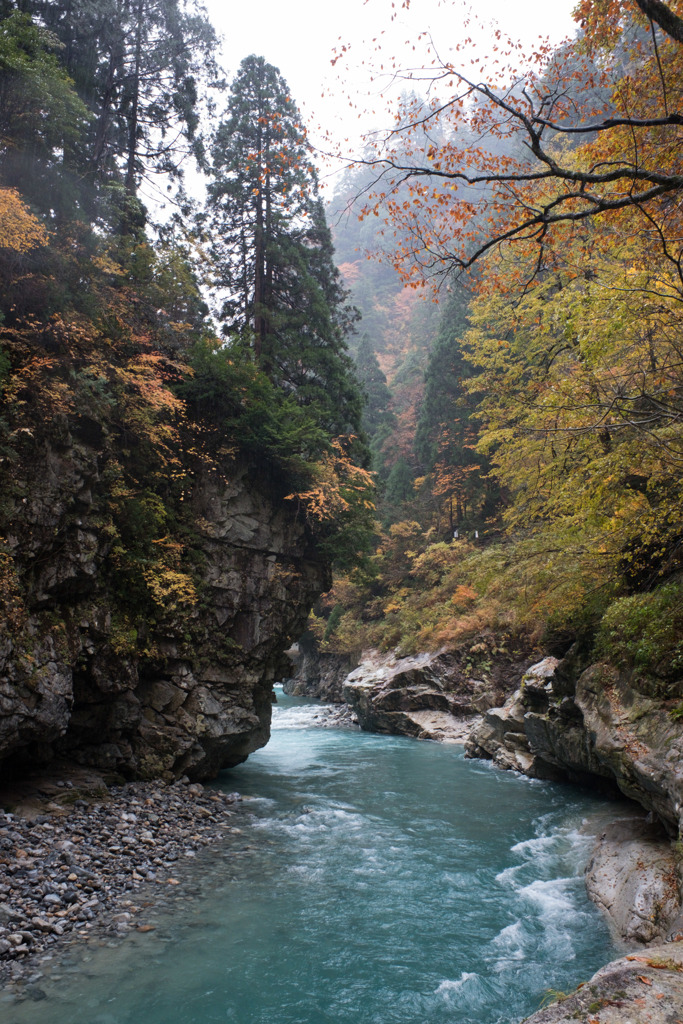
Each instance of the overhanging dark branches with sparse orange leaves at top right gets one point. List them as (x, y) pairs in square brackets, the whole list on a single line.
[(533, 188)]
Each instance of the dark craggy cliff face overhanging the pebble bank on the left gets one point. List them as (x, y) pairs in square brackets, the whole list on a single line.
[(143, 667)]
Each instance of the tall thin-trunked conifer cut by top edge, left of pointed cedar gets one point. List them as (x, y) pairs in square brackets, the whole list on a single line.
[(138, 66)]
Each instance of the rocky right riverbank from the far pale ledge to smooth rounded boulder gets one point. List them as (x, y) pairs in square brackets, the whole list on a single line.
[(558, 723)]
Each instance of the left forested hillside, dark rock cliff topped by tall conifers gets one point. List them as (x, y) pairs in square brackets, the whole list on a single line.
[(176, 479)]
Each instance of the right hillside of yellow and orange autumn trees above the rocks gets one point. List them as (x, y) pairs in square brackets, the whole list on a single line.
[(539, 444)]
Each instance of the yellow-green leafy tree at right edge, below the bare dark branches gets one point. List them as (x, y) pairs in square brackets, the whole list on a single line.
[(581, 395)]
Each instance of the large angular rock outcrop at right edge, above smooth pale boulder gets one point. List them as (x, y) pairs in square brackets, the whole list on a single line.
[(591, 727)]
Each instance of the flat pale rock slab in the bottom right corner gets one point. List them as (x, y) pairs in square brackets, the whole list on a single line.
[(638, 988)]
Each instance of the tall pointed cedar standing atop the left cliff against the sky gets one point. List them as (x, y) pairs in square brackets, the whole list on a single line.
[(273, 250)]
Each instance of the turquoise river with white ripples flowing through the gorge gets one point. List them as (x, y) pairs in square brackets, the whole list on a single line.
[(376, 880)]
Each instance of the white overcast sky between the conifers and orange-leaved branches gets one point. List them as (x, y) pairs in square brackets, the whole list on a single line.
[(300, 37)]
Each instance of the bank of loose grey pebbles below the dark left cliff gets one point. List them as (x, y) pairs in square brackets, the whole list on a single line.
[(69, 875)]
